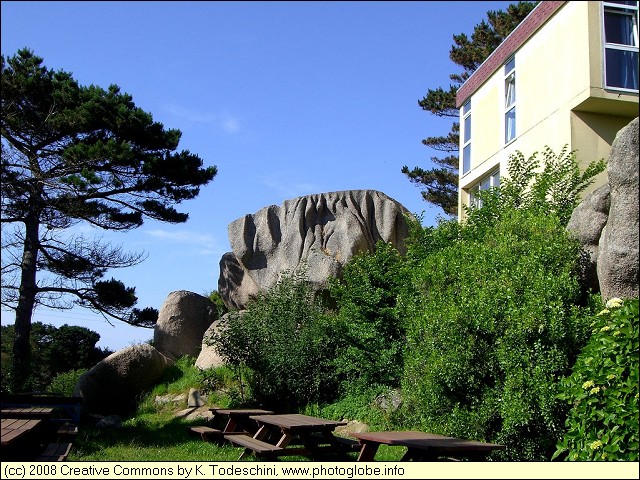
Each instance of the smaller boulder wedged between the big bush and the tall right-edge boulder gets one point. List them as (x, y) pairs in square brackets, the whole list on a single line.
[(586, 224)]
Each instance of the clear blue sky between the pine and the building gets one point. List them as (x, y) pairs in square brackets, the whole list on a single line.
[(285, 98)]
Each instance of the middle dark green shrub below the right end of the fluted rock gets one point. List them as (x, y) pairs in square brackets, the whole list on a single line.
[(368, 322)]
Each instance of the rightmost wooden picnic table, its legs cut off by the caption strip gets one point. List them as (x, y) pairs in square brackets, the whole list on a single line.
[(423, 446)]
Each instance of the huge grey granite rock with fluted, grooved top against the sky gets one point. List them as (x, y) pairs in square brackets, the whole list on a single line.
[(322, 231)]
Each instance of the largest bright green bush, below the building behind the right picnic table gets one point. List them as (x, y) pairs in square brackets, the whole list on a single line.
[(494, 325)]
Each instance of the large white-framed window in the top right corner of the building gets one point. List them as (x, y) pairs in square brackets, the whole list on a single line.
[(621, 45)]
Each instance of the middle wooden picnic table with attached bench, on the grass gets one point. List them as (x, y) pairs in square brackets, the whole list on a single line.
[(277, 433)]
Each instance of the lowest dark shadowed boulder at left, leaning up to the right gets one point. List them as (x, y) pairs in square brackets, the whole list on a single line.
[(113, 385)]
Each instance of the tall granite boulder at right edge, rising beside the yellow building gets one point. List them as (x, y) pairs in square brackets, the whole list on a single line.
[(618, 248)]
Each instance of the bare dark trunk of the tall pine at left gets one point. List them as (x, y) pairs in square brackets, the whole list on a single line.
[(21, 367)]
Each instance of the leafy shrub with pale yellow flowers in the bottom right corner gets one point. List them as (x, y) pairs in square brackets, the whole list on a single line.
[(603, 390)]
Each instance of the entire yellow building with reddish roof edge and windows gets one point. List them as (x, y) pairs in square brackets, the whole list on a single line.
[(567, 75)]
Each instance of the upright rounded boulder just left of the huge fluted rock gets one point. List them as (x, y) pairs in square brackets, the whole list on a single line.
[(182, 321)]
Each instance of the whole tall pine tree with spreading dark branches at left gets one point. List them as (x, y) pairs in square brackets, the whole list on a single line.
[(73, 154)]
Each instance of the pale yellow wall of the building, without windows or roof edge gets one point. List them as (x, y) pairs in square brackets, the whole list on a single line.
[(560, 99)]
